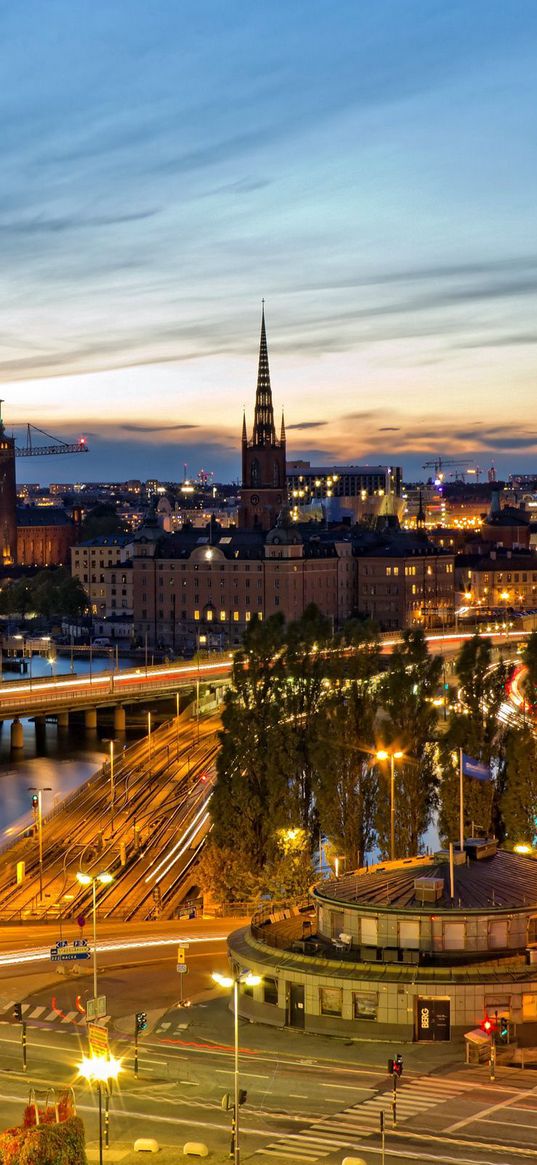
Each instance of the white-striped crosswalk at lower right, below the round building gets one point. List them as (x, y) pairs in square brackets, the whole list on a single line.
[(347, 1129)]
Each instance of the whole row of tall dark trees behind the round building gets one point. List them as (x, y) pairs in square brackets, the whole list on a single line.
[(303, 723)]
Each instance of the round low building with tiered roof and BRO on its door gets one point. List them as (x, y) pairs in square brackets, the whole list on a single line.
[(412, 949)]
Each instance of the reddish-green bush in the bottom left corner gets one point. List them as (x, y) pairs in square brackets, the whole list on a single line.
[(46, 1145)]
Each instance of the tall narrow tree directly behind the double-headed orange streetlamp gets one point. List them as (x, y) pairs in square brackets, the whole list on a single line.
[(407, 694)]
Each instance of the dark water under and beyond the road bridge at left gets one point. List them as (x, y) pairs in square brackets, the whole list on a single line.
[(53, 759)]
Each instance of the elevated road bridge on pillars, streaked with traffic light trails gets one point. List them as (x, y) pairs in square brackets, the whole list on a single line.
[(63, 695)]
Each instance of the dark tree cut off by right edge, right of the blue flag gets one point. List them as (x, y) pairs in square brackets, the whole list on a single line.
[(519, 800)]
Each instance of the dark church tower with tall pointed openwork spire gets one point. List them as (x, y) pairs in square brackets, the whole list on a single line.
[(264, 492)]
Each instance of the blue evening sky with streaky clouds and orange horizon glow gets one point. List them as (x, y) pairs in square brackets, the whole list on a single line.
[(368, 168)]
